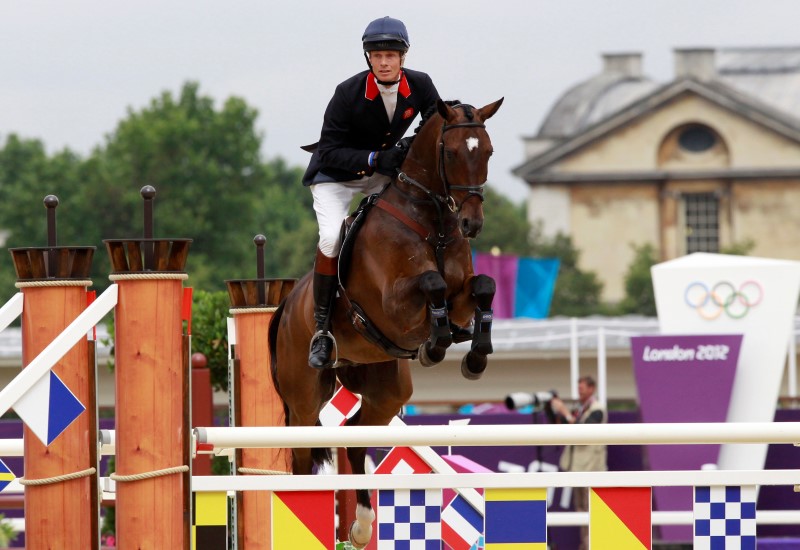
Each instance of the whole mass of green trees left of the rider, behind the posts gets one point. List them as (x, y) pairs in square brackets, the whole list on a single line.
[(212, 187)]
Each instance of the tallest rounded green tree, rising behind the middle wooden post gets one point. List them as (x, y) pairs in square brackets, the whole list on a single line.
[(205, 165)]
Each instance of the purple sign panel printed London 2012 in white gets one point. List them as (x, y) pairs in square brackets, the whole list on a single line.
[(683, 379)]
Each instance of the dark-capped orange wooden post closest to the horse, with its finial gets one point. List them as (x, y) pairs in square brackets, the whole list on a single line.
[(255, 401)]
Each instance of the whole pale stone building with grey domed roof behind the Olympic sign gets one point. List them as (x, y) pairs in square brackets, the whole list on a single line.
[(705, 162)]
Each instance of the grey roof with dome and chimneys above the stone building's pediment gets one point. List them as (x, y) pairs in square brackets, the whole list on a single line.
[(761, 84)]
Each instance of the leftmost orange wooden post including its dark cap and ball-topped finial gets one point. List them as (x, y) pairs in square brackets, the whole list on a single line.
[(59, 512)]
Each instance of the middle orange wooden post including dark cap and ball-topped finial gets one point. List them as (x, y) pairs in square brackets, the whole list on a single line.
[(152, 390)]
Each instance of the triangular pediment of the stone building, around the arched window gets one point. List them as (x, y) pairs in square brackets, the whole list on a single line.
[(626, 143)]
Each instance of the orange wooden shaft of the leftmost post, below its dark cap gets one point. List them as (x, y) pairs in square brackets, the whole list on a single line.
[(60, 514)]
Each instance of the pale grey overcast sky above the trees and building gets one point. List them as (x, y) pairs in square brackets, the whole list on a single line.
[(70, 69)]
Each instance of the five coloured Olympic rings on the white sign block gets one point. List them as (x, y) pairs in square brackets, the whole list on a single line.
[(723, 297)]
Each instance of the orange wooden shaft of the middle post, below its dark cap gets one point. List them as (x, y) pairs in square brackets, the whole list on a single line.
[(151, 384)]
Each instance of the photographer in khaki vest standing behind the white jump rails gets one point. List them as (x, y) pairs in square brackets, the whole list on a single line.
[(582, 458)]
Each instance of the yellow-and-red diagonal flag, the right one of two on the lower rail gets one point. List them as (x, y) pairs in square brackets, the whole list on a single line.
[(620, 518)]
